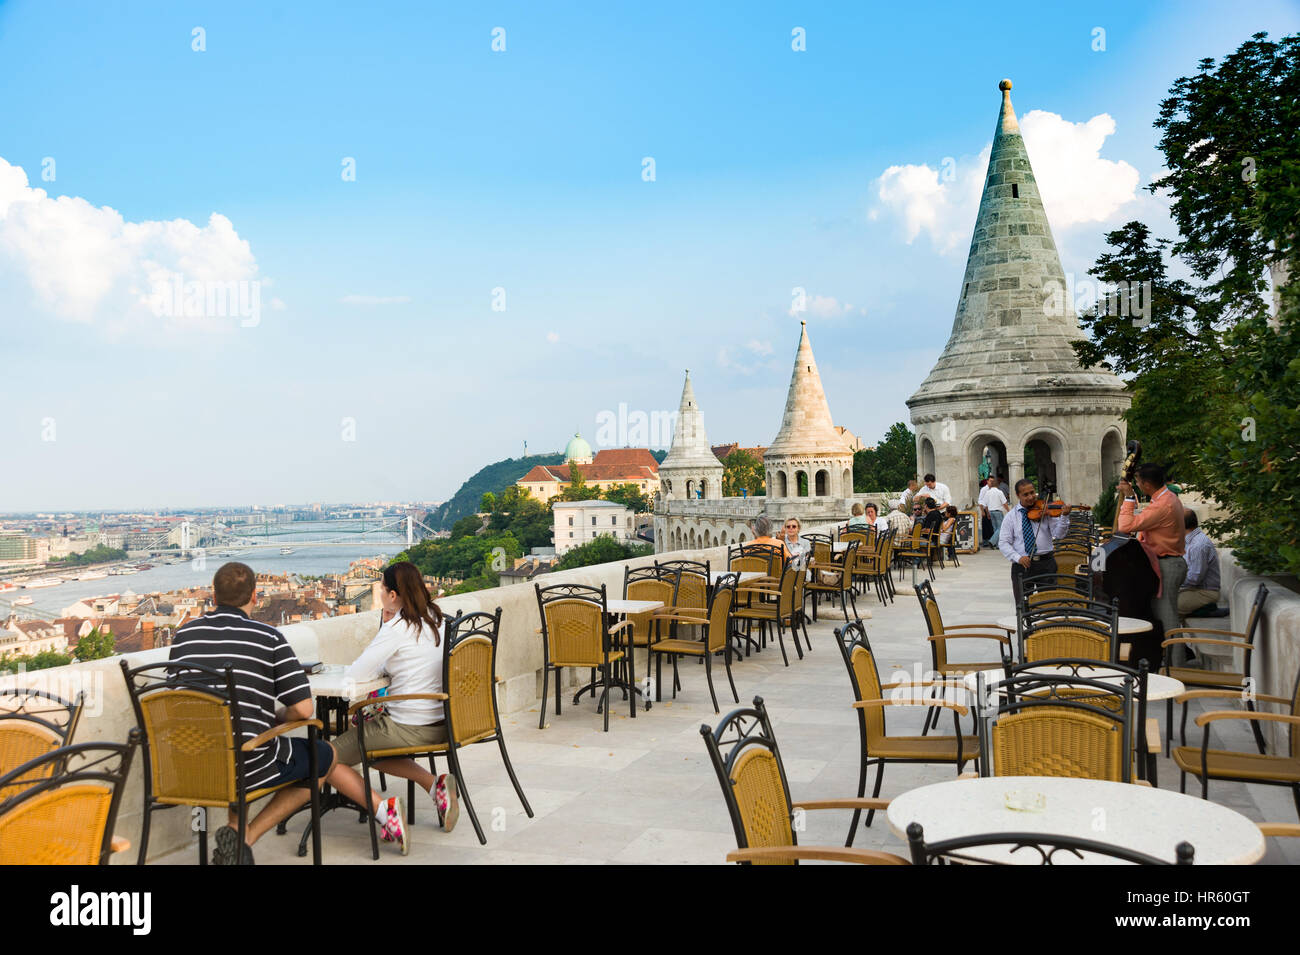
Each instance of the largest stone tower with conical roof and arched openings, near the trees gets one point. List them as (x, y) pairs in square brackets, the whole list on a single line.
[(1008, 389)]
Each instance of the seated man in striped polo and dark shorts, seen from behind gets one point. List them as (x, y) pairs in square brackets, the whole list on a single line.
[(272, 689)]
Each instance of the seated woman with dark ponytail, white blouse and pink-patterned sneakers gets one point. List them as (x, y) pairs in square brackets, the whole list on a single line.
[(410, 649)]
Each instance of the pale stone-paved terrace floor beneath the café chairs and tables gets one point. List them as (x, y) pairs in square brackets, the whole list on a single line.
[(645, 792)]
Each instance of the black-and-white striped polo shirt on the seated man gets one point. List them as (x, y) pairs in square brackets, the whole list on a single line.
[(267, 679)]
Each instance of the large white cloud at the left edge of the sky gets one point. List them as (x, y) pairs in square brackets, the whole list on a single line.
[(88, 264)]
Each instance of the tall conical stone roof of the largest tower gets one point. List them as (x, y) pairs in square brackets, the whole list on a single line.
[(1015, 318)]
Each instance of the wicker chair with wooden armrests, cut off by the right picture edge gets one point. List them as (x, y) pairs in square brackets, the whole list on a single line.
[(1206, 765)]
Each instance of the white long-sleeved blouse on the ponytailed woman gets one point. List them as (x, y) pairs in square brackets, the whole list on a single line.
[(413, 663)]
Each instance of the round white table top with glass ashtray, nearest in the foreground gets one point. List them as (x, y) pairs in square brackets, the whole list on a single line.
[(1123, 814)]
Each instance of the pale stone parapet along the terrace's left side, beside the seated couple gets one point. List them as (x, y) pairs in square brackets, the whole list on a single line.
[(333, 641)]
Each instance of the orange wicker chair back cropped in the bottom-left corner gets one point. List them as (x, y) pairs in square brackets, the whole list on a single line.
[(67, 818)]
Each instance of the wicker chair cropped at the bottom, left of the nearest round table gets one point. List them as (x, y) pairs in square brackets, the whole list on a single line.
[(744, 753)]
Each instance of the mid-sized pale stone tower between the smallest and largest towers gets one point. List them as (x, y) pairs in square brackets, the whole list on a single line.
[(808, 458)]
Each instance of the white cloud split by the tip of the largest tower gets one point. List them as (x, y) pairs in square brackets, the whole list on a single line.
[(1077, 184)]
